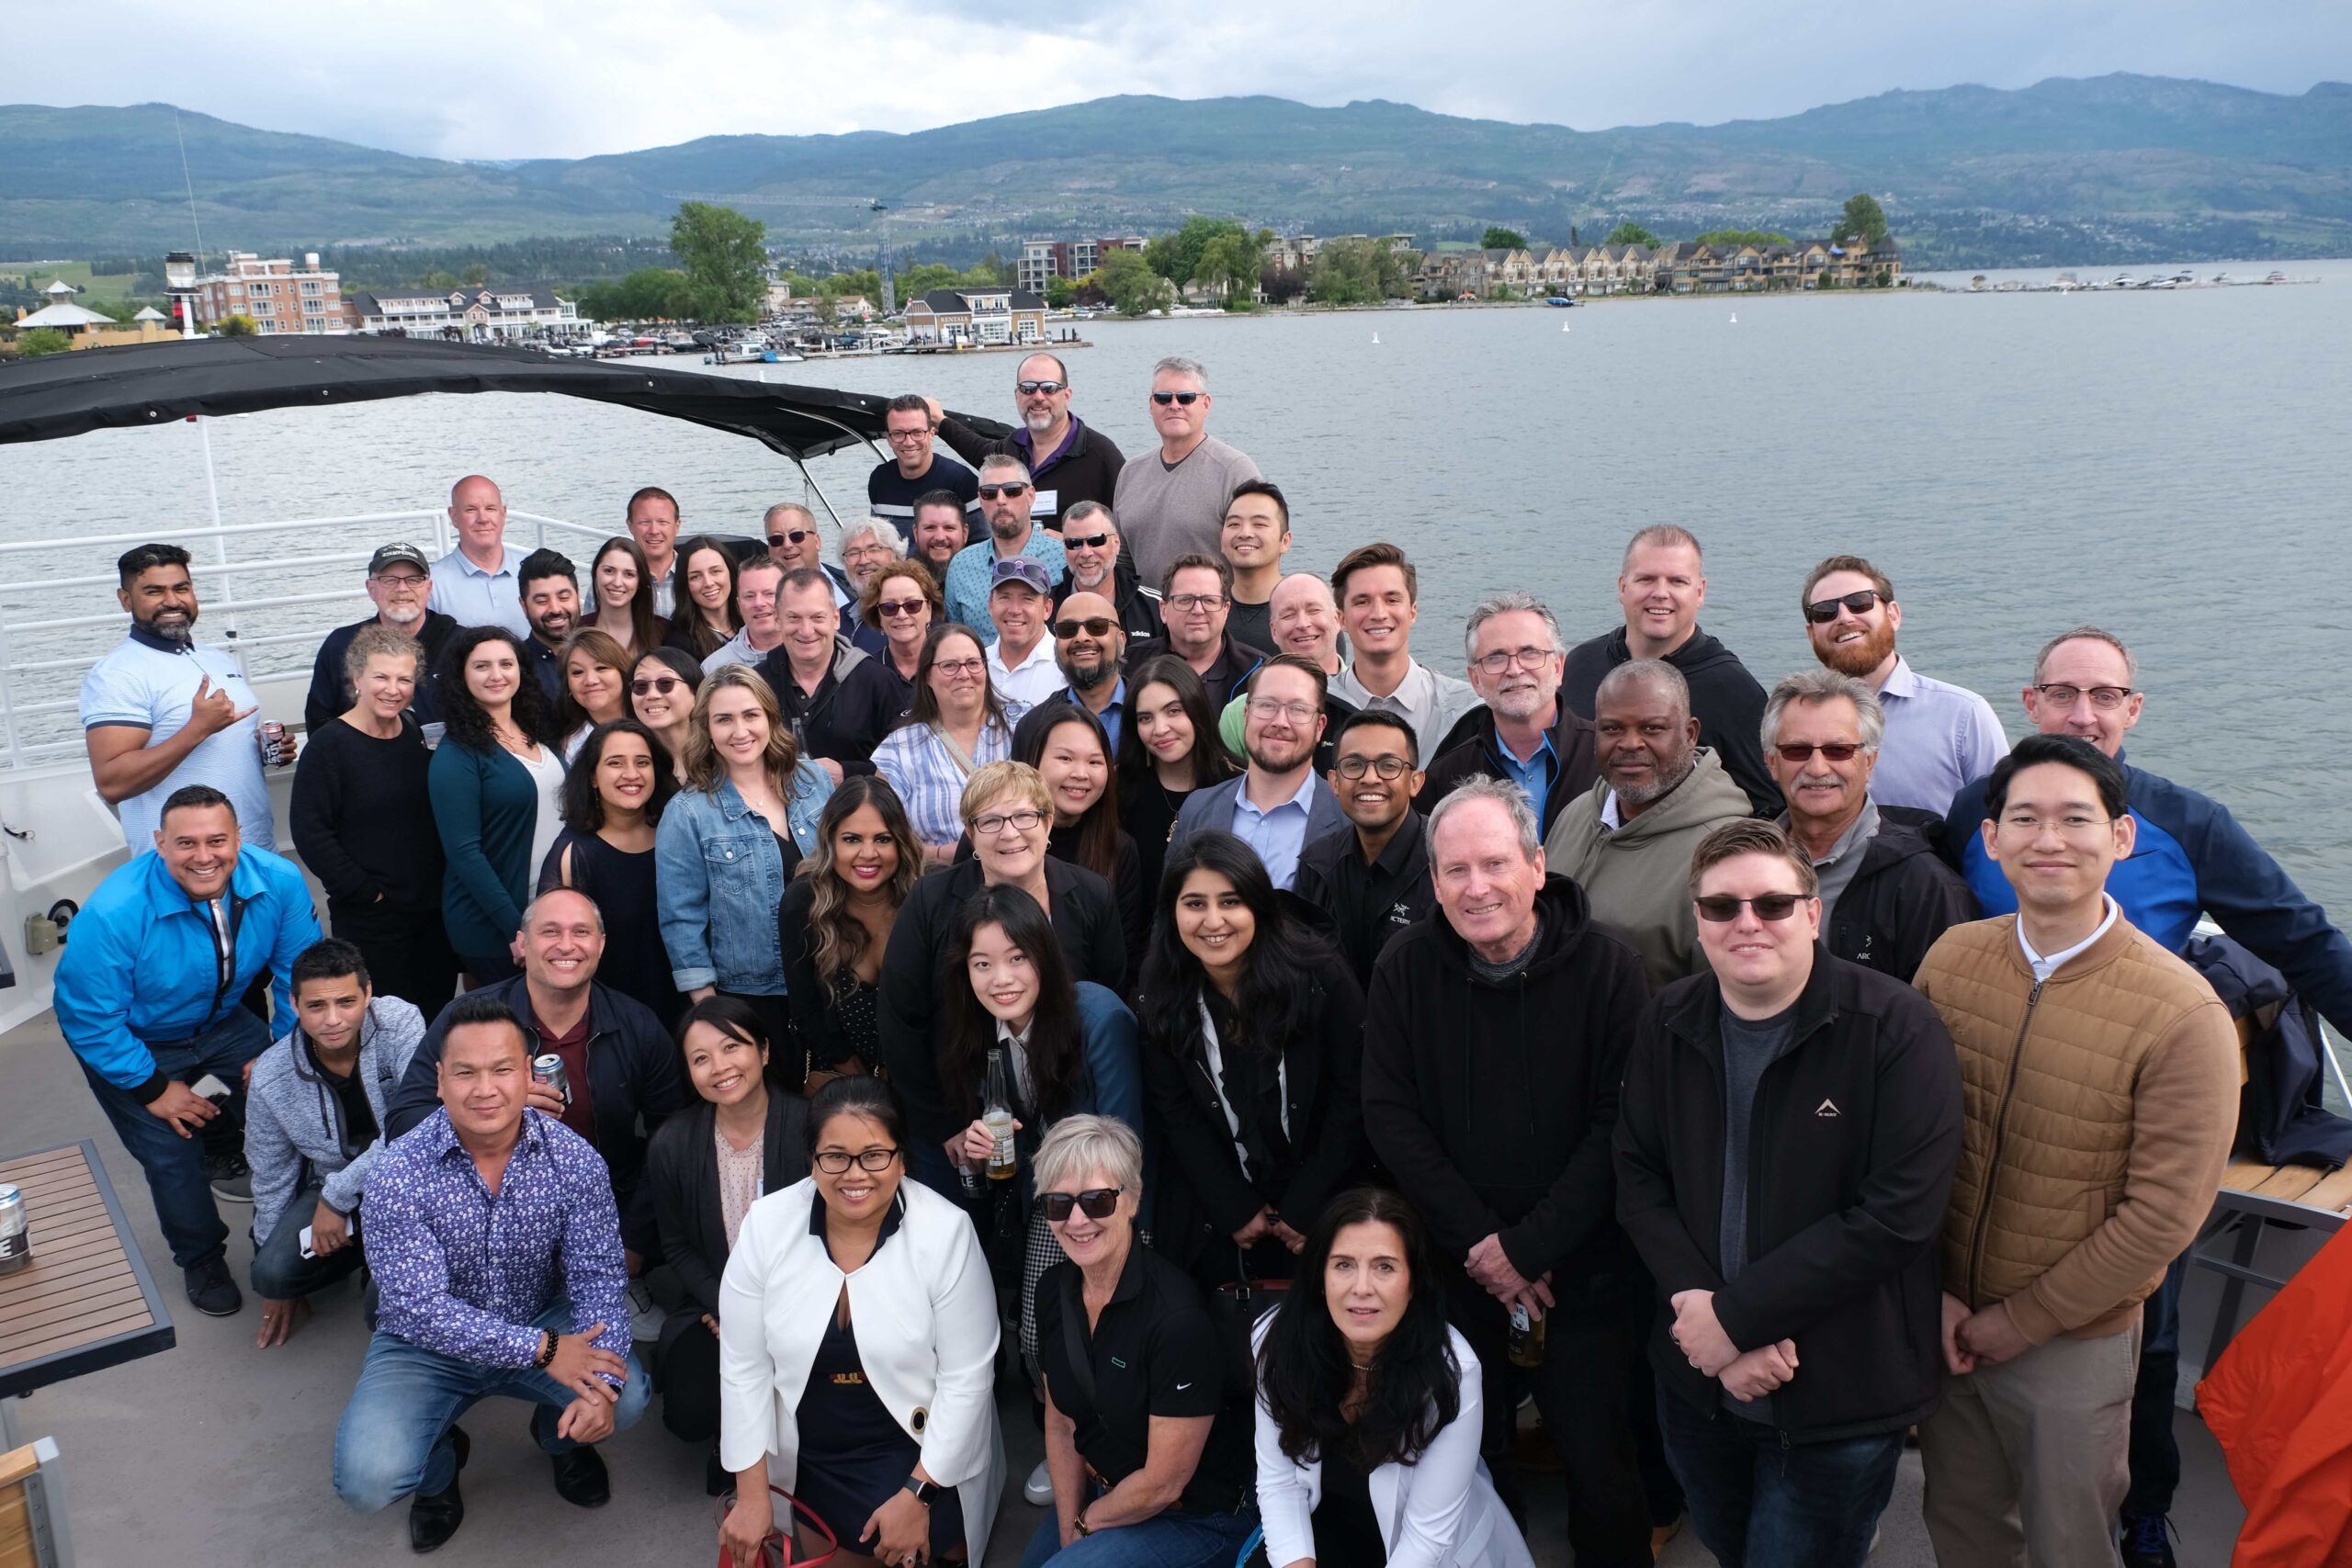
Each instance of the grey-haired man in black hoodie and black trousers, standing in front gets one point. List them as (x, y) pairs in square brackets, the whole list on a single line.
[(1495, 1040)]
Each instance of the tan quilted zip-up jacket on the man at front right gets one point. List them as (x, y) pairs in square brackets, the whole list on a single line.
[(2099, 1115)]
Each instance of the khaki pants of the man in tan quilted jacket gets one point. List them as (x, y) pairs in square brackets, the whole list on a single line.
[(2026, 1459)]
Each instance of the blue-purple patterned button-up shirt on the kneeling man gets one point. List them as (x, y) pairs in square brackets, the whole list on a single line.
[(465, 1271)]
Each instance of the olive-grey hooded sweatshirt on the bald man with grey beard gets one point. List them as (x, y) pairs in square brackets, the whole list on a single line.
[(1641, 876)]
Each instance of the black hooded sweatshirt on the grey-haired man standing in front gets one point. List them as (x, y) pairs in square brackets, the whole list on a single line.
[(1495, 1104)]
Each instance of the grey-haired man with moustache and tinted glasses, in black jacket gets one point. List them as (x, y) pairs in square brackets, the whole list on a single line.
[(1885, 892)]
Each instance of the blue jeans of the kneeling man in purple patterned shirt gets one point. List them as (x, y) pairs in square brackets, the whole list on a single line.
[(394, 1438)]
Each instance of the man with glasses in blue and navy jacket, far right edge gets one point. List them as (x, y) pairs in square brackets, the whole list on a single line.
[(2191, 859)]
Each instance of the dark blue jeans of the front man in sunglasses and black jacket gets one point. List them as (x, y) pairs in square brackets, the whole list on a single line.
[(1763, 1503)]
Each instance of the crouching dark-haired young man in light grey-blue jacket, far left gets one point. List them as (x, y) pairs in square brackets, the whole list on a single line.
[(314, 1125)]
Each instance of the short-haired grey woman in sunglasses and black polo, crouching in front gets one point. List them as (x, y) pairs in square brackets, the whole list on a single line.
[(1144, 1433)]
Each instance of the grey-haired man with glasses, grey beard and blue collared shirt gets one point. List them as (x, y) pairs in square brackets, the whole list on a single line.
[(1523, 732)]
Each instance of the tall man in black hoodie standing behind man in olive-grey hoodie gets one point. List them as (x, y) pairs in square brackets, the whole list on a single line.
[(1662, 587)]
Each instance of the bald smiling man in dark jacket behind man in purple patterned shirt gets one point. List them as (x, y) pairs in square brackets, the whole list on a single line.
[(620, 1061)]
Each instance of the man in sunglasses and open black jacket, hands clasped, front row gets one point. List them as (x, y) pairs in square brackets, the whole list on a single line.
[(1784, 1155)]
